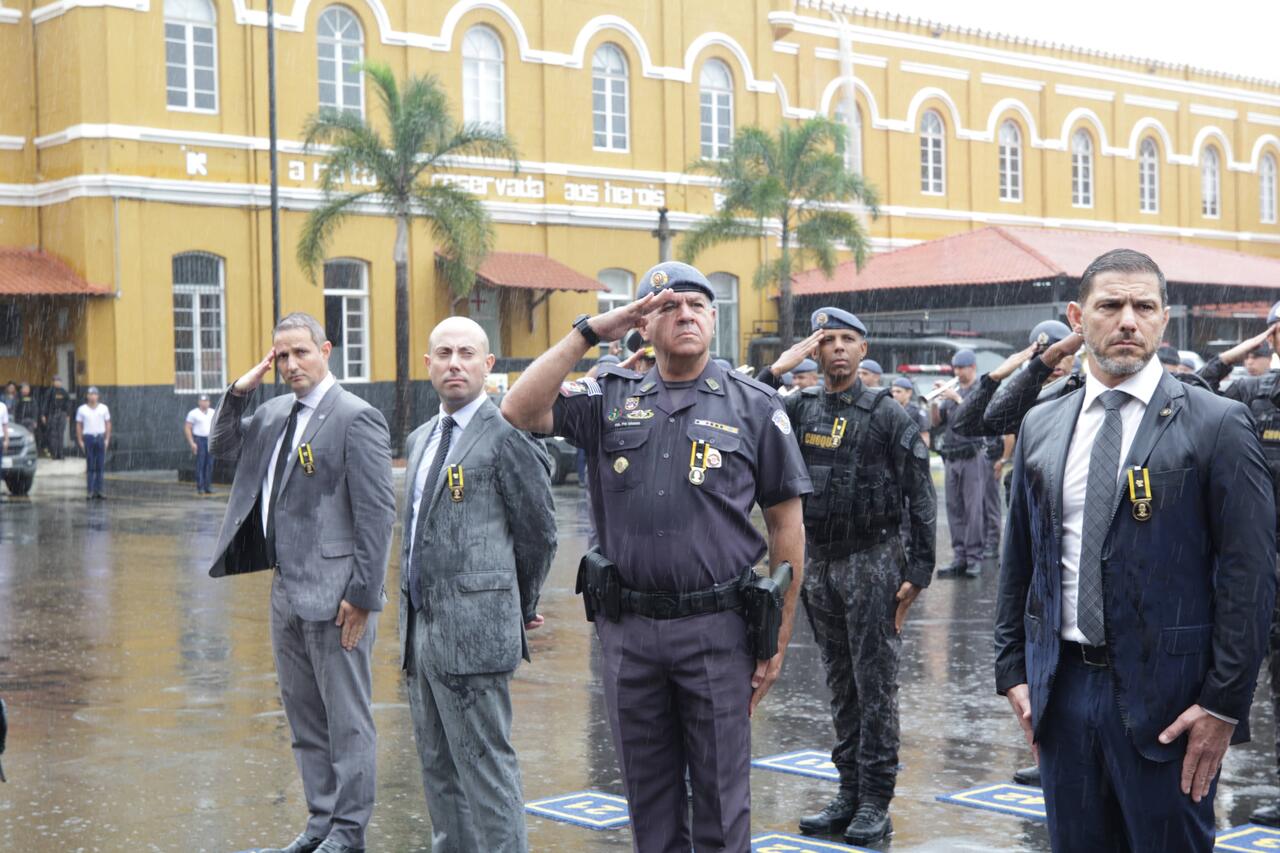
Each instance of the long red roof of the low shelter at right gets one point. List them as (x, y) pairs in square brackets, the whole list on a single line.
[(1000, 256)]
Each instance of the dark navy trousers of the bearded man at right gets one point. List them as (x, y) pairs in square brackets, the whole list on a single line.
[(1103, 796)]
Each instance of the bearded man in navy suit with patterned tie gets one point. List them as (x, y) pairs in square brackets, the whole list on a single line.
[(1137, 583)]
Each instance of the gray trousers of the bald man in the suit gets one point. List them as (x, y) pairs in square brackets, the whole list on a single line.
[(470, 773)]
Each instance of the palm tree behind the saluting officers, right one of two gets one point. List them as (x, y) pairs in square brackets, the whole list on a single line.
[(797, 179)]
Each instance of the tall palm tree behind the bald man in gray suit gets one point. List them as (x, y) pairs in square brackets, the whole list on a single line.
[(424, 135)]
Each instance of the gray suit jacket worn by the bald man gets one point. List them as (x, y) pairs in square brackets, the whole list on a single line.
[(482, 562)]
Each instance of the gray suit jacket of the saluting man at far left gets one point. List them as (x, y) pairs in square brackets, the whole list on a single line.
[(333, 528)]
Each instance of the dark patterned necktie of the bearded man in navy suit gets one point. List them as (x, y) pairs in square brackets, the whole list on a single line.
[(1100, 496)]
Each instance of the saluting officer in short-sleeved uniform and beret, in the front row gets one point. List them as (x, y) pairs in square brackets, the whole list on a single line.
[(678, 458)]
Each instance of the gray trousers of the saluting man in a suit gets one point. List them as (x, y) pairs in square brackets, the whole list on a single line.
[(328, 696)]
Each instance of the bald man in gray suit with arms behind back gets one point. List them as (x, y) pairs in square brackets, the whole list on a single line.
[(479, 540)]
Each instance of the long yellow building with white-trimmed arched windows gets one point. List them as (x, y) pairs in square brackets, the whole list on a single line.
[(134, 148)]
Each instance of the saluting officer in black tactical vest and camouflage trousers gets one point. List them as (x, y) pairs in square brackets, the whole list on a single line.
[(866, 459)]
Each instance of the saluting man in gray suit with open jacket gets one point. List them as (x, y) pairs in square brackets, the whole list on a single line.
[(313, 501)]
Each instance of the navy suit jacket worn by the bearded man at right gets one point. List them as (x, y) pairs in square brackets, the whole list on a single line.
[(1187, 595)]
